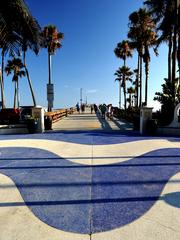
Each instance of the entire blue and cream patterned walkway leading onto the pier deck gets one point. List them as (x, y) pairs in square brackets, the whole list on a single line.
[(89, 185)]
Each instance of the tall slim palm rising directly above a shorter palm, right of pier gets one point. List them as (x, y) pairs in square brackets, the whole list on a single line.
[(123, 51)]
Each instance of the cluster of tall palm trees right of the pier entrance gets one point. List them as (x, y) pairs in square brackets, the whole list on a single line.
[(148, 28)]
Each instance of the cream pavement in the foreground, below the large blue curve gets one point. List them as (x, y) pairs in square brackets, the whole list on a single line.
[(18, 222)]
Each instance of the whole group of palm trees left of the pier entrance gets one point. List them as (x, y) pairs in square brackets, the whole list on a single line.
[(20, 32)]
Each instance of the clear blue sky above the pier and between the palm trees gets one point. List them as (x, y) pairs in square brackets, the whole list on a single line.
[(92, 29)]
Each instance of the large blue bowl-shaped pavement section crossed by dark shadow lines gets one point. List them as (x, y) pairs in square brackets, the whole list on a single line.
[(88, 199)]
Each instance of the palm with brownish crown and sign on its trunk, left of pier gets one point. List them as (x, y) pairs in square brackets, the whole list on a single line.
[(52, 41)]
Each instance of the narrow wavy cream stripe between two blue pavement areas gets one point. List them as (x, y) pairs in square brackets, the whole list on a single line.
[(96, 154)]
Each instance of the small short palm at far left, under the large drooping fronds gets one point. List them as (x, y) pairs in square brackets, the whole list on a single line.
[(15, 66)]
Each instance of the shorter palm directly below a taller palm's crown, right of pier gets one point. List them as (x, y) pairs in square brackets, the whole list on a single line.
[(124, 74)]
